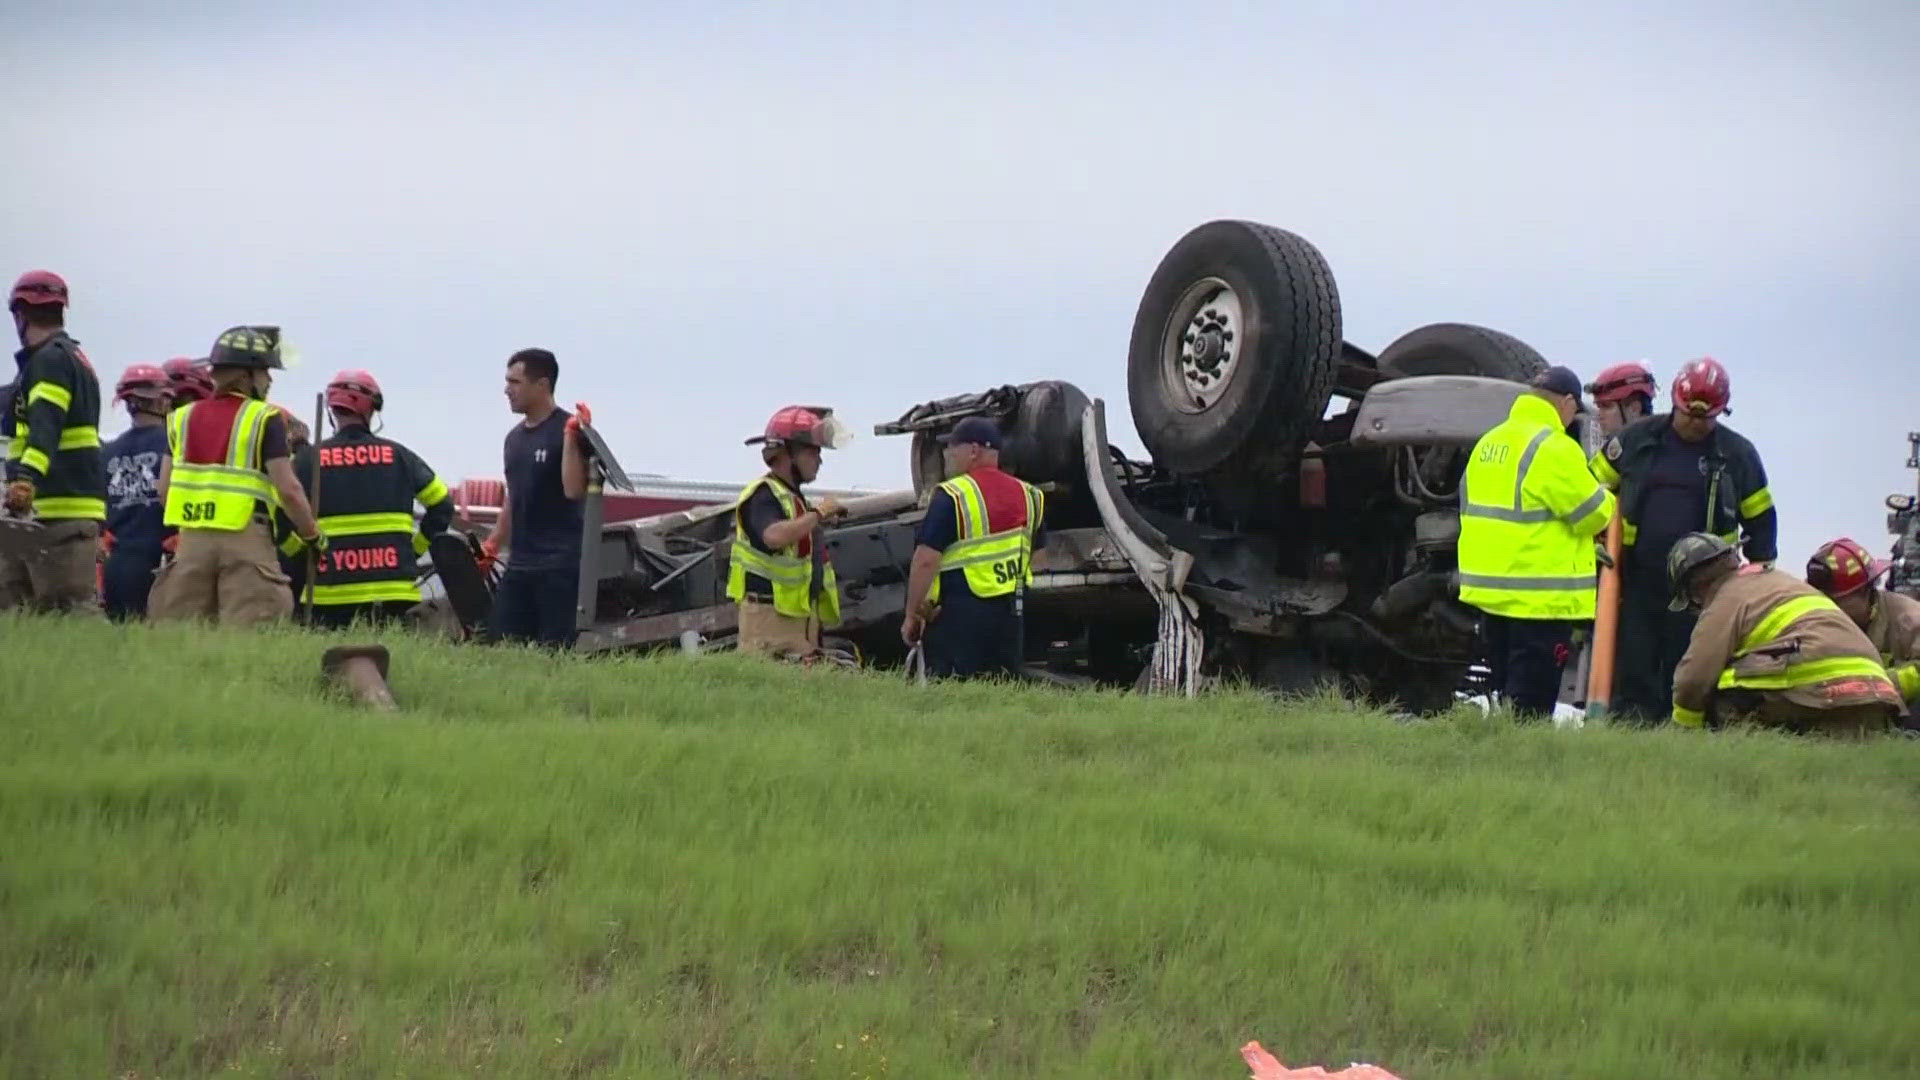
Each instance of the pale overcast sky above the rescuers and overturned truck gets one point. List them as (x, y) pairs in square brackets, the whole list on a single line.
[(713, 210)]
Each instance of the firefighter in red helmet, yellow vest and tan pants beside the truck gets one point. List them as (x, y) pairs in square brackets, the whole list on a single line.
[(779, 570)]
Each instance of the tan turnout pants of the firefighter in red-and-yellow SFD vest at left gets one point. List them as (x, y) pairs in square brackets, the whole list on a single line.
[(231, 579)]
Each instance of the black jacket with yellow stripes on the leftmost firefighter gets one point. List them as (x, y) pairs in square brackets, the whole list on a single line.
[(66, 470)]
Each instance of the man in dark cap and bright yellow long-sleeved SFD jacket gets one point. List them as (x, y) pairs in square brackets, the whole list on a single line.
[(1529, 516)]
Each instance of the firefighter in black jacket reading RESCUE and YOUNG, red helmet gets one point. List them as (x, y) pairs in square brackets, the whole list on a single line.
[(366, 510)]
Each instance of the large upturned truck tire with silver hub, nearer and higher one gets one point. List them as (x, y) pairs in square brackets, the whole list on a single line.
[(1234, 353)]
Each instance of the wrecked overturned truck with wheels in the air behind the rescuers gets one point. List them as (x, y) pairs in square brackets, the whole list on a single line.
[(1295, 526)]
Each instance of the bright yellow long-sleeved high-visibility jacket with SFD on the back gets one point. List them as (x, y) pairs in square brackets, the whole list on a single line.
[(1529, 514)]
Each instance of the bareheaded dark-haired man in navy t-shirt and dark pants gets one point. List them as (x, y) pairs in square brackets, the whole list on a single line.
[(542, 520)]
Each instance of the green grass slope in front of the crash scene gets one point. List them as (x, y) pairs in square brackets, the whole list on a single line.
[(713, 868)]
